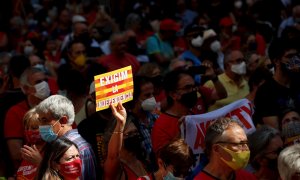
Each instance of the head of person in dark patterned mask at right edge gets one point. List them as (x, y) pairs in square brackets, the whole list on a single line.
[(290, 126)]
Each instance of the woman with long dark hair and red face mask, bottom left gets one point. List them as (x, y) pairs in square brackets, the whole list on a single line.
[(61, 161)]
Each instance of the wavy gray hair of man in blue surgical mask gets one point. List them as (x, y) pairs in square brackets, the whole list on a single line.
[(58, 106)]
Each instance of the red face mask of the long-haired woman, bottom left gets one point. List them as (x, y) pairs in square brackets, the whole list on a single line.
[(71, 170)]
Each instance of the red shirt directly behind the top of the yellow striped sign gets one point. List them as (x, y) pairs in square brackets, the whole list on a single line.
[(112, 62)]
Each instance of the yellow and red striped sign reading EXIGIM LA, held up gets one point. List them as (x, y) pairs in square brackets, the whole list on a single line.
[(114, 86)]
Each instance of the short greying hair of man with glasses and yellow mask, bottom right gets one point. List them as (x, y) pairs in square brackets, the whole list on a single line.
[(216, 130)]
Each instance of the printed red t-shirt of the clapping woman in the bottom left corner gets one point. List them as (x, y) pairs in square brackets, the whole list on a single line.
[(26, 171)]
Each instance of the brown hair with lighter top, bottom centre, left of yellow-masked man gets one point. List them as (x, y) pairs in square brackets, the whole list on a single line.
[(178, 154)]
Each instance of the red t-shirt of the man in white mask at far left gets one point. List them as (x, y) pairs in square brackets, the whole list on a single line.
[(13, 123)]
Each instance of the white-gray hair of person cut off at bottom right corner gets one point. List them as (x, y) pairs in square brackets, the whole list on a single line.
[(289, 162)]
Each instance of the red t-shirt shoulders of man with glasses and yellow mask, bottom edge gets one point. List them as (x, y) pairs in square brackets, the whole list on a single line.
[(239, 175)]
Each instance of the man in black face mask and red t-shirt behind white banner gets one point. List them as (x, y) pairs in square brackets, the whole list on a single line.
[(183, 98)]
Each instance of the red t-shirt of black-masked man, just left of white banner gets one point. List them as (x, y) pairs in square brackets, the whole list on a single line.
[(165, 129)]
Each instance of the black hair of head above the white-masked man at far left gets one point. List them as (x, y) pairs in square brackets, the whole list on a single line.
[(17, 65)]
